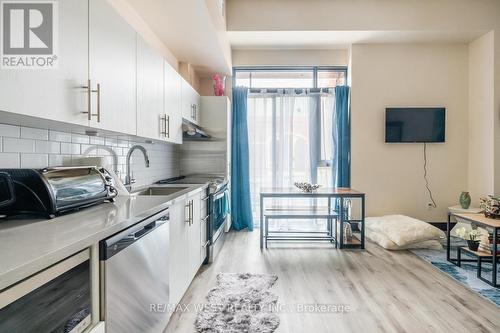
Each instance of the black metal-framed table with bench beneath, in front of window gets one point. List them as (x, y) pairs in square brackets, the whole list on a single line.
[(334, 212)]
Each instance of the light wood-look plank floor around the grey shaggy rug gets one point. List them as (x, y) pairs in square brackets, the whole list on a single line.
[(386, 291)]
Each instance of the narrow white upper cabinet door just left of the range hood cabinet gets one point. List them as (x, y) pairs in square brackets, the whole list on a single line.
[(173, 103)]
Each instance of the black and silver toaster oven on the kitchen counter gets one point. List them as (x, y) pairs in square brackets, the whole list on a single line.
[(51, 191)]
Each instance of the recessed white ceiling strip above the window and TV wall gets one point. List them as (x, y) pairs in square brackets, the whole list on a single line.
[(340, 39)]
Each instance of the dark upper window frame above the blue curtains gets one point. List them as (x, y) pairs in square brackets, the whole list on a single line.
[(313, 69)]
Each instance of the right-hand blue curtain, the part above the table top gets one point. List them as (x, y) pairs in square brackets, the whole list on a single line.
[(342, 138)]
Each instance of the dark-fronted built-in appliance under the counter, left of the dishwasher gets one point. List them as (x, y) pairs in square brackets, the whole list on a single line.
[(57, 299)]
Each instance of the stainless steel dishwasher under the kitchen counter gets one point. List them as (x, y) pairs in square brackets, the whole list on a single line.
[(135, 277)]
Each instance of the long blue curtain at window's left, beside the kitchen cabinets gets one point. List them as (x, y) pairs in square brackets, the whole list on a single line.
[(241, 209)]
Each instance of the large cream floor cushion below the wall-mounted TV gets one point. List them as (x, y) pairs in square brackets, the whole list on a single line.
[(403, 230)]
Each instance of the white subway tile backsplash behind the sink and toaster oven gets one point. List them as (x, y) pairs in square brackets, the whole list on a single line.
[(25, 147)]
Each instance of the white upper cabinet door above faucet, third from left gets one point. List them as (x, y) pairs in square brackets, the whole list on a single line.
[(151, 121)]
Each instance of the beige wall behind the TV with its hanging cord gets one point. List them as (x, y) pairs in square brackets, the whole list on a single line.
[(392, 174)]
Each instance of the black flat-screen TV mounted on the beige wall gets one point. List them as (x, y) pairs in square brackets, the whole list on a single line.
[(415, 124)]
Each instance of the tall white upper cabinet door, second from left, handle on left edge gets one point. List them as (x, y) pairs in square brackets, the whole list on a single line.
[(112, 67)]
